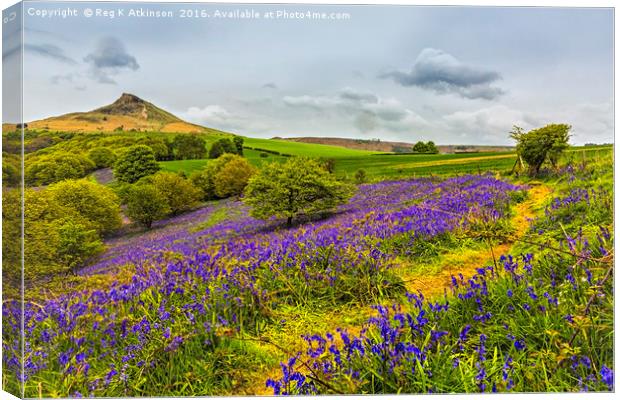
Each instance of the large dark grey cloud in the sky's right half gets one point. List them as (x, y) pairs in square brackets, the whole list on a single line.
[(443, 73)]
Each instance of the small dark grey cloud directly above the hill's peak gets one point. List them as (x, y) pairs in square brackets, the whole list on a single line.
[(110, 58)]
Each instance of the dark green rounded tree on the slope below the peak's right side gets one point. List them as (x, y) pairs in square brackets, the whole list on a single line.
[(135, 163)]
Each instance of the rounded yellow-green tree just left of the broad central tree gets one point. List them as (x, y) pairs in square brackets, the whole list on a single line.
[(232, 177)]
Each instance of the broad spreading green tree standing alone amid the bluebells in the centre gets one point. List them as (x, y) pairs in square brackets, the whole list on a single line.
[(300, 185)]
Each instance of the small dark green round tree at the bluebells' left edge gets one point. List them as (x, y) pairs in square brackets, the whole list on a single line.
[(145, 204)]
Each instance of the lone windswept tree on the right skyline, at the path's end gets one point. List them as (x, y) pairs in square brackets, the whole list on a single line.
[(542, 144)]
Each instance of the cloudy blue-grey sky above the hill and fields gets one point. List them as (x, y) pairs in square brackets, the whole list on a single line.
[(449, 74)]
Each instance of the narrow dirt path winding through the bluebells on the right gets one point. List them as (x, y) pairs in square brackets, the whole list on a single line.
[(467, 262)]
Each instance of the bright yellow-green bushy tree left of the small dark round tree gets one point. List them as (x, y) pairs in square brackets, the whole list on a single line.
[(96, 204)]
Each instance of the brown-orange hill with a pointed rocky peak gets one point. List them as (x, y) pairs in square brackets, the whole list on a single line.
[(127, 113)]
